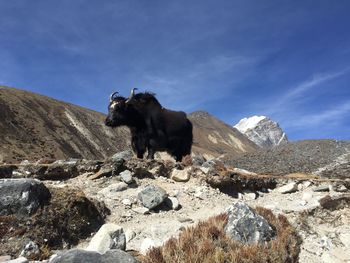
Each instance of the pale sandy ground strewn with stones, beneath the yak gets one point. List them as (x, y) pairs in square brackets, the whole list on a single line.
[(319, 208)]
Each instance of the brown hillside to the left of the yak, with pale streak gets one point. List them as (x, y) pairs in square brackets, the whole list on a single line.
[(34, 126)]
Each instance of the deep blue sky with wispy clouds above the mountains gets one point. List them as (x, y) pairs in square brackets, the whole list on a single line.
[(289, 60)]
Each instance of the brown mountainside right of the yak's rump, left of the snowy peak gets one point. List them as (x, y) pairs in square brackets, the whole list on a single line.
[(213, 137)]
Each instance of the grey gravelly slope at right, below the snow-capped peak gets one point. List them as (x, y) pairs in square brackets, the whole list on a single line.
[(327, 158)]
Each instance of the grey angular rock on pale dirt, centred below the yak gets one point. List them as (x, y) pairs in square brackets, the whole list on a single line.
[(152, 196)]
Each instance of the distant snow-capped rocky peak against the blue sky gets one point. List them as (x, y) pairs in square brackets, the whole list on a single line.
[(262, 131)]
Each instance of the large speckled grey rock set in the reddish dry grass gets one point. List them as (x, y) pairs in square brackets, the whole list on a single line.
[(244, 225)]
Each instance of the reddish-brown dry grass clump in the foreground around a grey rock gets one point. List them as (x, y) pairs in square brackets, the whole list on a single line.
[(207, 243)]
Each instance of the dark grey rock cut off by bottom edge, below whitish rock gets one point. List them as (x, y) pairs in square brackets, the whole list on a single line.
[(82, 256)]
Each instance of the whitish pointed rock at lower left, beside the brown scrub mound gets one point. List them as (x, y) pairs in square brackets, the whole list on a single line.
[(109, 236)]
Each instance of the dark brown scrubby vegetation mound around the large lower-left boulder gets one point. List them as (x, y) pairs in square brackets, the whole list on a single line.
[(69, 217)]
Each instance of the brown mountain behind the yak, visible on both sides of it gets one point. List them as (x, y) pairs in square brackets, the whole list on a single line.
[(33, 126)]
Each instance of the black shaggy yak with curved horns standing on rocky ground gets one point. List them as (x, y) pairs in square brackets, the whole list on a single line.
[(153, 127)]
